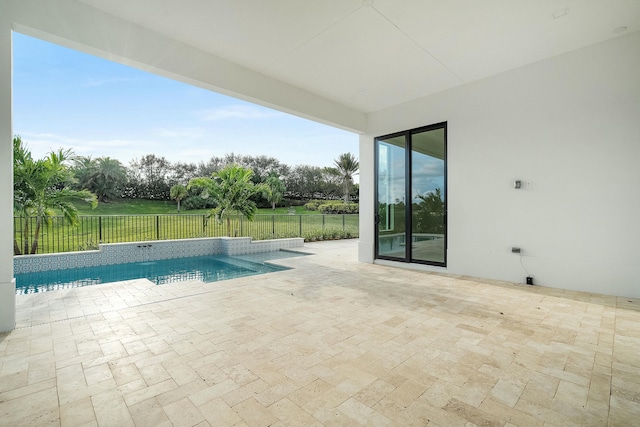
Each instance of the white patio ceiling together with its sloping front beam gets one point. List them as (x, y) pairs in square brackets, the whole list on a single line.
[(333, 61)]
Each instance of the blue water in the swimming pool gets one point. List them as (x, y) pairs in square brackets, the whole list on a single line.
[(205, 268)]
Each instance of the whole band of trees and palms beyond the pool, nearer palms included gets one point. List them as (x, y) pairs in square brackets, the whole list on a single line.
[(44, 187)]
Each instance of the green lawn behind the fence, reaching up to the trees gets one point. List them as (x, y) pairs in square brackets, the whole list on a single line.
[(144, 220)]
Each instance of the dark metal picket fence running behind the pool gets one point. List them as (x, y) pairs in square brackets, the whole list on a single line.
[(92, 230)]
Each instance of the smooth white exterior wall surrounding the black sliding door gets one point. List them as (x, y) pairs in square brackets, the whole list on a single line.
[(569, 126)]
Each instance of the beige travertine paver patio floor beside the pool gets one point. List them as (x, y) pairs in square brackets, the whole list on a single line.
[(332, 342)]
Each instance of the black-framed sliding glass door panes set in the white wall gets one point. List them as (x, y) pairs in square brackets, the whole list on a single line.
[(411, 196)]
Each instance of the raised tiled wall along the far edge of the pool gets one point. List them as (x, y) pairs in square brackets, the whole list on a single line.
[(118, 253)]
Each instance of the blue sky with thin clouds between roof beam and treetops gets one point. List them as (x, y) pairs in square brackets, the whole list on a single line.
[(67, 99)]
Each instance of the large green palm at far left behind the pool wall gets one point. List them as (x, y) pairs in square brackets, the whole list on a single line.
[(40, 189)]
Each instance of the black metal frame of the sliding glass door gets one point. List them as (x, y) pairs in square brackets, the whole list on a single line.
[(408, 257)]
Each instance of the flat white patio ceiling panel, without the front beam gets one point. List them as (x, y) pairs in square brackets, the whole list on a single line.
[(372, 54)]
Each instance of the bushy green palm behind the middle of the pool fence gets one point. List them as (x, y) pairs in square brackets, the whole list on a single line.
[(231, 189)]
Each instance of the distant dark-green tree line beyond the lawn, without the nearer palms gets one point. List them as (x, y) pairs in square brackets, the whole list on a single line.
[(152, 177)]
